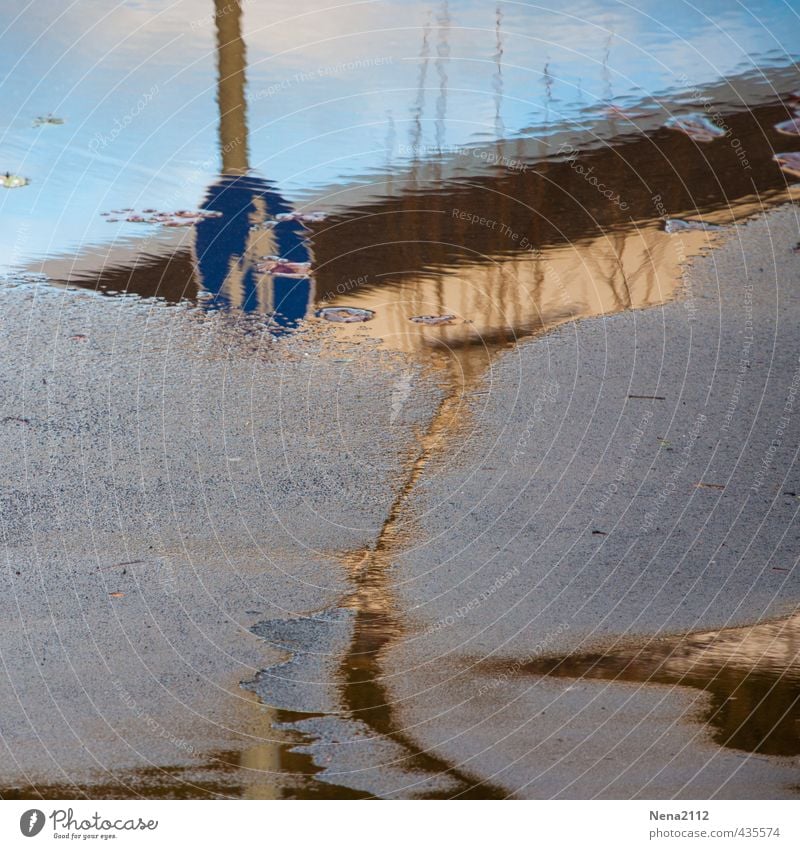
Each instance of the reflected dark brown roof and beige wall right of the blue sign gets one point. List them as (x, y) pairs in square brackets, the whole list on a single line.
[(516, 252)]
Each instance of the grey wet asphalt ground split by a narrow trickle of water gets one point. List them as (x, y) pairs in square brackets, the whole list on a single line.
[(176, 489)]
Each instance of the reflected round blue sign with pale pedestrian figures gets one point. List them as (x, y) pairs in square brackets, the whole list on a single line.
[(229, 248)]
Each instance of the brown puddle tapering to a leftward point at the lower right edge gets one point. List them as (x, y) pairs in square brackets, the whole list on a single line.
[(752, 676)]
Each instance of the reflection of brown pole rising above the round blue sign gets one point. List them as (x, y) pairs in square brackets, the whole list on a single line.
[(230, 87)]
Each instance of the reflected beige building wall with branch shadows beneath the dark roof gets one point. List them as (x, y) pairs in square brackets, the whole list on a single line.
[(499, 299)]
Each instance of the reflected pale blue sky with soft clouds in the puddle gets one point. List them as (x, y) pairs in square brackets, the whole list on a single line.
[(332, 94)]
